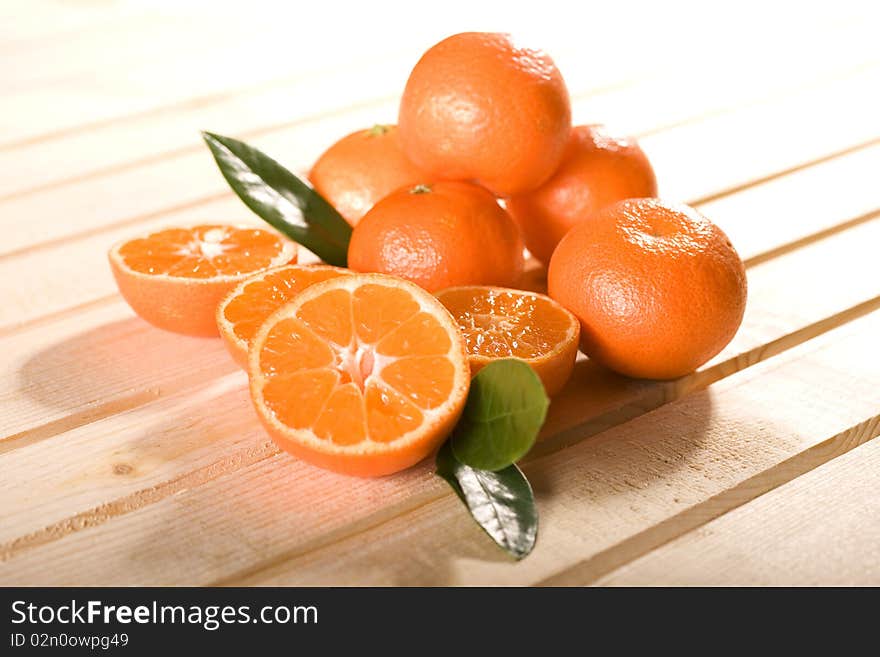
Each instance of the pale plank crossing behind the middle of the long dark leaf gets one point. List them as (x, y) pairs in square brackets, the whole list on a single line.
[(729, 142)]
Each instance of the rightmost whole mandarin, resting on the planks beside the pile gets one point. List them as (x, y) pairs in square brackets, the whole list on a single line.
[(657, 287)]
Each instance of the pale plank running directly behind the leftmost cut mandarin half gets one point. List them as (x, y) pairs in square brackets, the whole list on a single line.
[(758, 221)]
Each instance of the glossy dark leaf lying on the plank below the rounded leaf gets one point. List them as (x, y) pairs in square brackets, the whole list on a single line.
[(501, 502)]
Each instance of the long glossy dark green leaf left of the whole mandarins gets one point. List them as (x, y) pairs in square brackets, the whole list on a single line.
[(281, 199)]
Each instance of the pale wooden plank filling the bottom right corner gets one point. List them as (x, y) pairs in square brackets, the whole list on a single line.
[(821, 529)]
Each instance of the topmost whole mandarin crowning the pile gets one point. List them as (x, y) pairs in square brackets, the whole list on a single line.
[(479, 106)]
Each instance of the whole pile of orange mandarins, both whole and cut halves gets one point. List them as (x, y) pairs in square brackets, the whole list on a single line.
[(364, 370)]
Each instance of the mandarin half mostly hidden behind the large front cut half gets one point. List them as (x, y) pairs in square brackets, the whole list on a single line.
[(246, 307)]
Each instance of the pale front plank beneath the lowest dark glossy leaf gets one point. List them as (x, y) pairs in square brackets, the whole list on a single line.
[(622, 492)]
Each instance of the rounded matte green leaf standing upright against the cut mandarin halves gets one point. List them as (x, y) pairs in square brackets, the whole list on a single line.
[(505, 409)]
